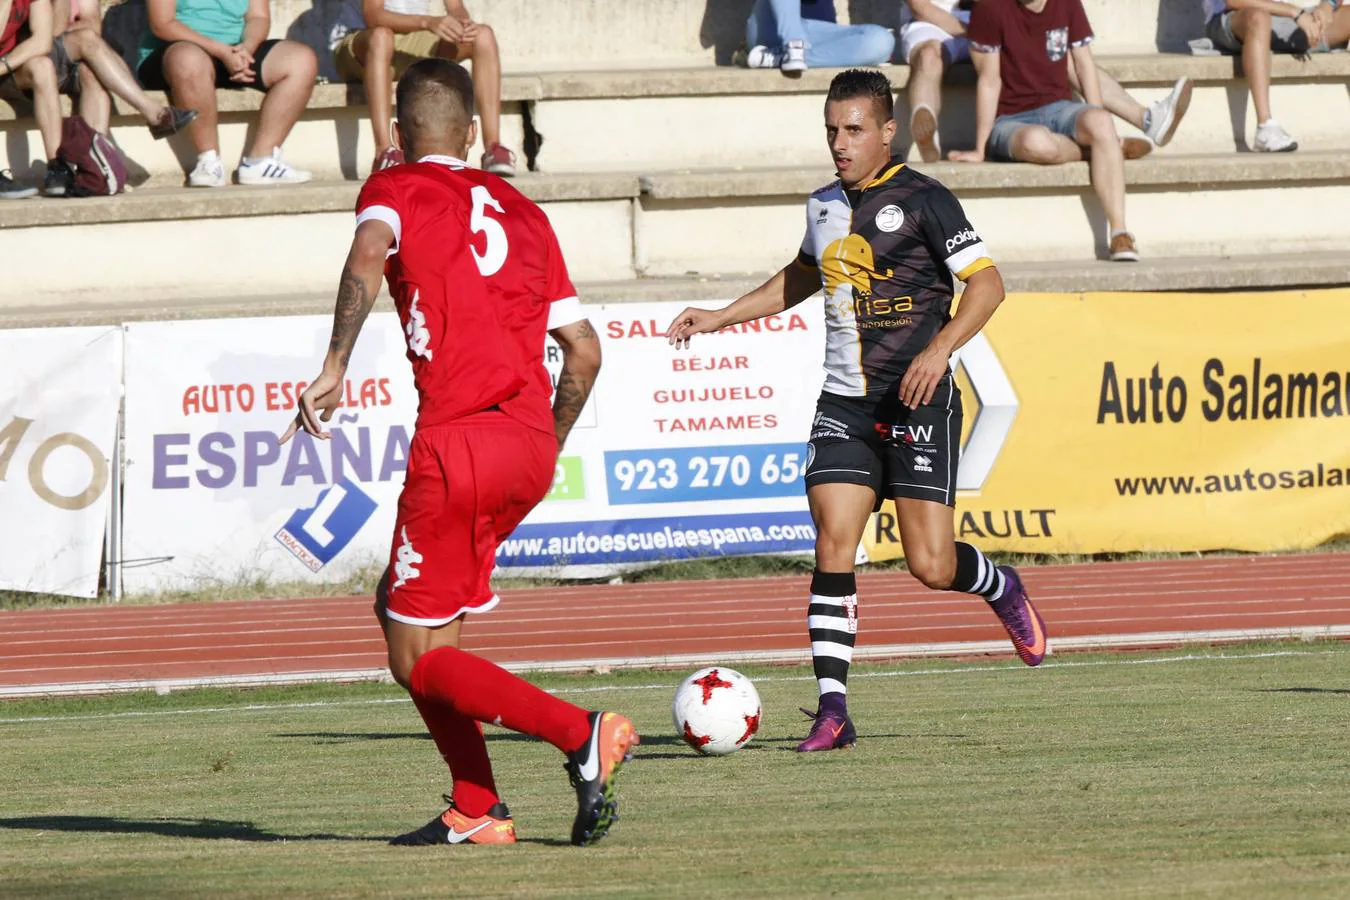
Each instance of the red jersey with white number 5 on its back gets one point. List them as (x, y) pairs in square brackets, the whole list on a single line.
[(477, 277)]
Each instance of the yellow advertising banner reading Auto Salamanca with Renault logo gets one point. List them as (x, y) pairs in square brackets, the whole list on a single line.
[(1100, 423)]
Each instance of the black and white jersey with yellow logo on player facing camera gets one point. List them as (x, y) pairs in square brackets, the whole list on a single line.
[(888, 256)]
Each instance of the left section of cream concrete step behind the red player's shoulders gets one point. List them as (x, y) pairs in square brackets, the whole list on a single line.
[(260, 241)]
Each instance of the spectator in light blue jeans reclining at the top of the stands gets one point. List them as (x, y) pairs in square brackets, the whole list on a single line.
[(796, 36)]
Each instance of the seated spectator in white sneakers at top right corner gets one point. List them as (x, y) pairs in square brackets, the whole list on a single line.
[(1258, 29)]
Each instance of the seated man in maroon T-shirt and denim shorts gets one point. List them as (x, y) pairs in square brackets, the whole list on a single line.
[(1024, 106)]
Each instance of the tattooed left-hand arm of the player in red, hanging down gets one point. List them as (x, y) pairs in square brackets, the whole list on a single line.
[(357, 292)]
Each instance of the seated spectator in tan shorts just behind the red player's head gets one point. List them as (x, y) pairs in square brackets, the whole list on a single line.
[(398, 34)]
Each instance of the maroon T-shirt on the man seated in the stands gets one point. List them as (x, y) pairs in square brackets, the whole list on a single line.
[(1033, 49)]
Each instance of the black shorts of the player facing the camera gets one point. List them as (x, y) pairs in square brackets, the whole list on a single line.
[(888, 447)]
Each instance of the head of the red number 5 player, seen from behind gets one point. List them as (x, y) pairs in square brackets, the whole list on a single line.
[(435, 107)]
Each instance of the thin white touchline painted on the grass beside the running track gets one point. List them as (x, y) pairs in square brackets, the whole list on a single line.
[(666, 686)]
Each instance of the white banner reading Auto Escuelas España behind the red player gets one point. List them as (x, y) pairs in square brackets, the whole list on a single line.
[(680, 454)]
